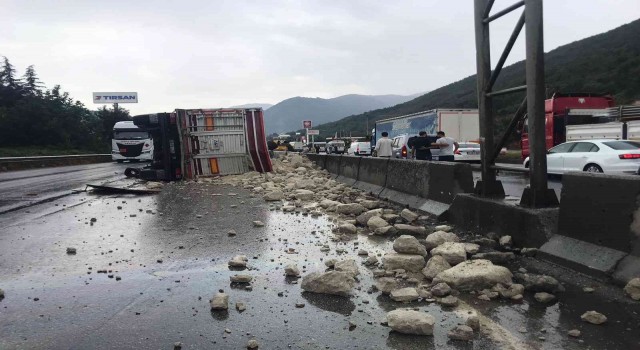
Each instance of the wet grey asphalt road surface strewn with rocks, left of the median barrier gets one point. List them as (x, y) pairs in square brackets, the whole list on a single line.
[(158, 303)]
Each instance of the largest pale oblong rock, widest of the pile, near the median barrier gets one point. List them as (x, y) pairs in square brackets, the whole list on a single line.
[(474, 275)]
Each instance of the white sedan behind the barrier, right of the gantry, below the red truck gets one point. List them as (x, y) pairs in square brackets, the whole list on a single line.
[(596, 156)]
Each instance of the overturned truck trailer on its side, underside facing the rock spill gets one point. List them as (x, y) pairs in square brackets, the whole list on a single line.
[(222, 141)]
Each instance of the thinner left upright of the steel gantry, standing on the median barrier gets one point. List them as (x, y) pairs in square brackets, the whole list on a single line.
[(488, 186)]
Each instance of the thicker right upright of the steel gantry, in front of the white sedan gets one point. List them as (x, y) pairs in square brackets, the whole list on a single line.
[(538, 195)]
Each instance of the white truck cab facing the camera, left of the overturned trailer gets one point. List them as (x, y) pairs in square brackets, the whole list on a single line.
[(130, 142)]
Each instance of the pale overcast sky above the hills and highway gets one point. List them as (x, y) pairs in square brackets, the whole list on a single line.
[(207, 53)]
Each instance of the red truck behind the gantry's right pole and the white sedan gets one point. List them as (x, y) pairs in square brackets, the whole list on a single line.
[(563, 110)]
